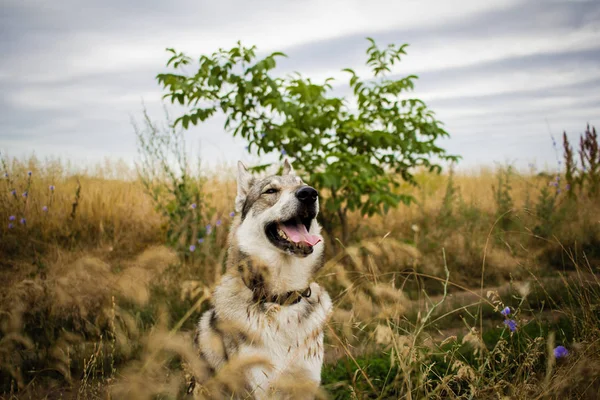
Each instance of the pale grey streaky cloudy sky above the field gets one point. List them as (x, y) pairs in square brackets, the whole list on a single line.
[(501, 74)]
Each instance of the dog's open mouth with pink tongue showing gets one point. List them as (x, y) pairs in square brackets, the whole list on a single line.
[(293, 236)]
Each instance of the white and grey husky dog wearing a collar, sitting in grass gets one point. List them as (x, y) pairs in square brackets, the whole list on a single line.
[(265, 306)]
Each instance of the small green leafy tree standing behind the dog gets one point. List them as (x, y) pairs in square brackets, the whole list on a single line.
[(356, 149)]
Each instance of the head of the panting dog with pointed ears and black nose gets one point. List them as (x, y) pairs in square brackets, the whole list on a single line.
[(278, 215)]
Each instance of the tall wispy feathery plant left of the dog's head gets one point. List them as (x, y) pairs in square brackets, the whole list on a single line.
[(167, 177)]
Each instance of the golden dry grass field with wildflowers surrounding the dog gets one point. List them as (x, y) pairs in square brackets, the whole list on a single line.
[(469, 292)]
